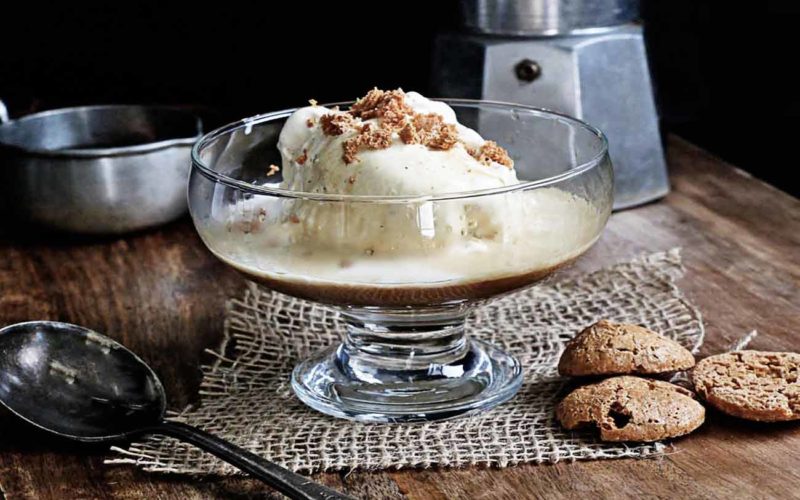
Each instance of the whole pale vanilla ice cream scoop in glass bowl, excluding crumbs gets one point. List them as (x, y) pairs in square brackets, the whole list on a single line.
[(313, 162)]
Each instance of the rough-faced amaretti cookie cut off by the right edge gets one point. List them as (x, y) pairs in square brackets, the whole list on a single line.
[(753, 385)]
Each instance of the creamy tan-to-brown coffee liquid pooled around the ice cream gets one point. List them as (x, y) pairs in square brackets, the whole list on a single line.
[(555, 231)]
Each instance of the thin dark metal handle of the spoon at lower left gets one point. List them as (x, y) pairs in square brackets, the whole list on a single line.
[(287, 482)]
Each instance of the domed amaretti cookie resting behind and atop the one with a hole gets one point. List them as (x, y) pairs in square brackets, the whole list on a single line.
[(608, 348)]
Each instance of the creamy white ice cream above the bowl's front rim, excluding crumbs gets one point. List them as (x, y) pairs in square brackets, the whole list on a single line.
[(313, 160)]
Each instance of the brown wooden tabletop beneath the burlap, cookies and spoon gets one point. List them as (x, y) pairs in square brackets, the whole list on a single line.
[(162, 294)]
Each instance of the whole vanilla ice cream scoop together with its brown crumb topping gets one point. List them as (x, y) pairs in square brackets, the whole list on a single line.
[(391, 144)]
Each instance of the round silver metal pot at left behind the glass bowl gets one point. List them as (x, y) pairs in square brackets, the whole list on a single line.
[(97, 169)]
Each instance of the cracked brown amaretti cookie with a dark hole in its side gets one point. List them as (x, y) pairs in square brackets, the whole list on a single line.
[(632, 409)]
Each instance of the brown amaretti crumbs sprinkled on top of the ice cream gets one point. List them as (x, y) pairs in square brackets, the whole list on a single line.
[(395, 116)]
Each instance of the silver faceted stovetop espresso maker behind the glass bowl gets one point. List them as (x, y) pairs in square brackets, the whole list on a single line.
[(584, 58)]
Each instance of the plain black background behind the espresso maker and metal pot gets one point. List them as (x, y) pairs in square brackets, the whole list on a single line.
[(724, 72)]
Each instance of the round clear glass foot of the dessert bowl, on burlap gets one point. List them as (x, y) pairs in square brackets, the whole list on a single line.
[(337, 383)]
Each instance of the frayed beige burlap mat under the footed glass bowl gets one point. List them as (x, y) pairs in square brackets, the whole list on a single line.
[(246, 395)]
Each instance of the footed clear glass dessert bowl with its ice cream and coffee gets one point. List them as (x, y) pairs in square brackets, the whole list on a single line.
[(396, 212)]
